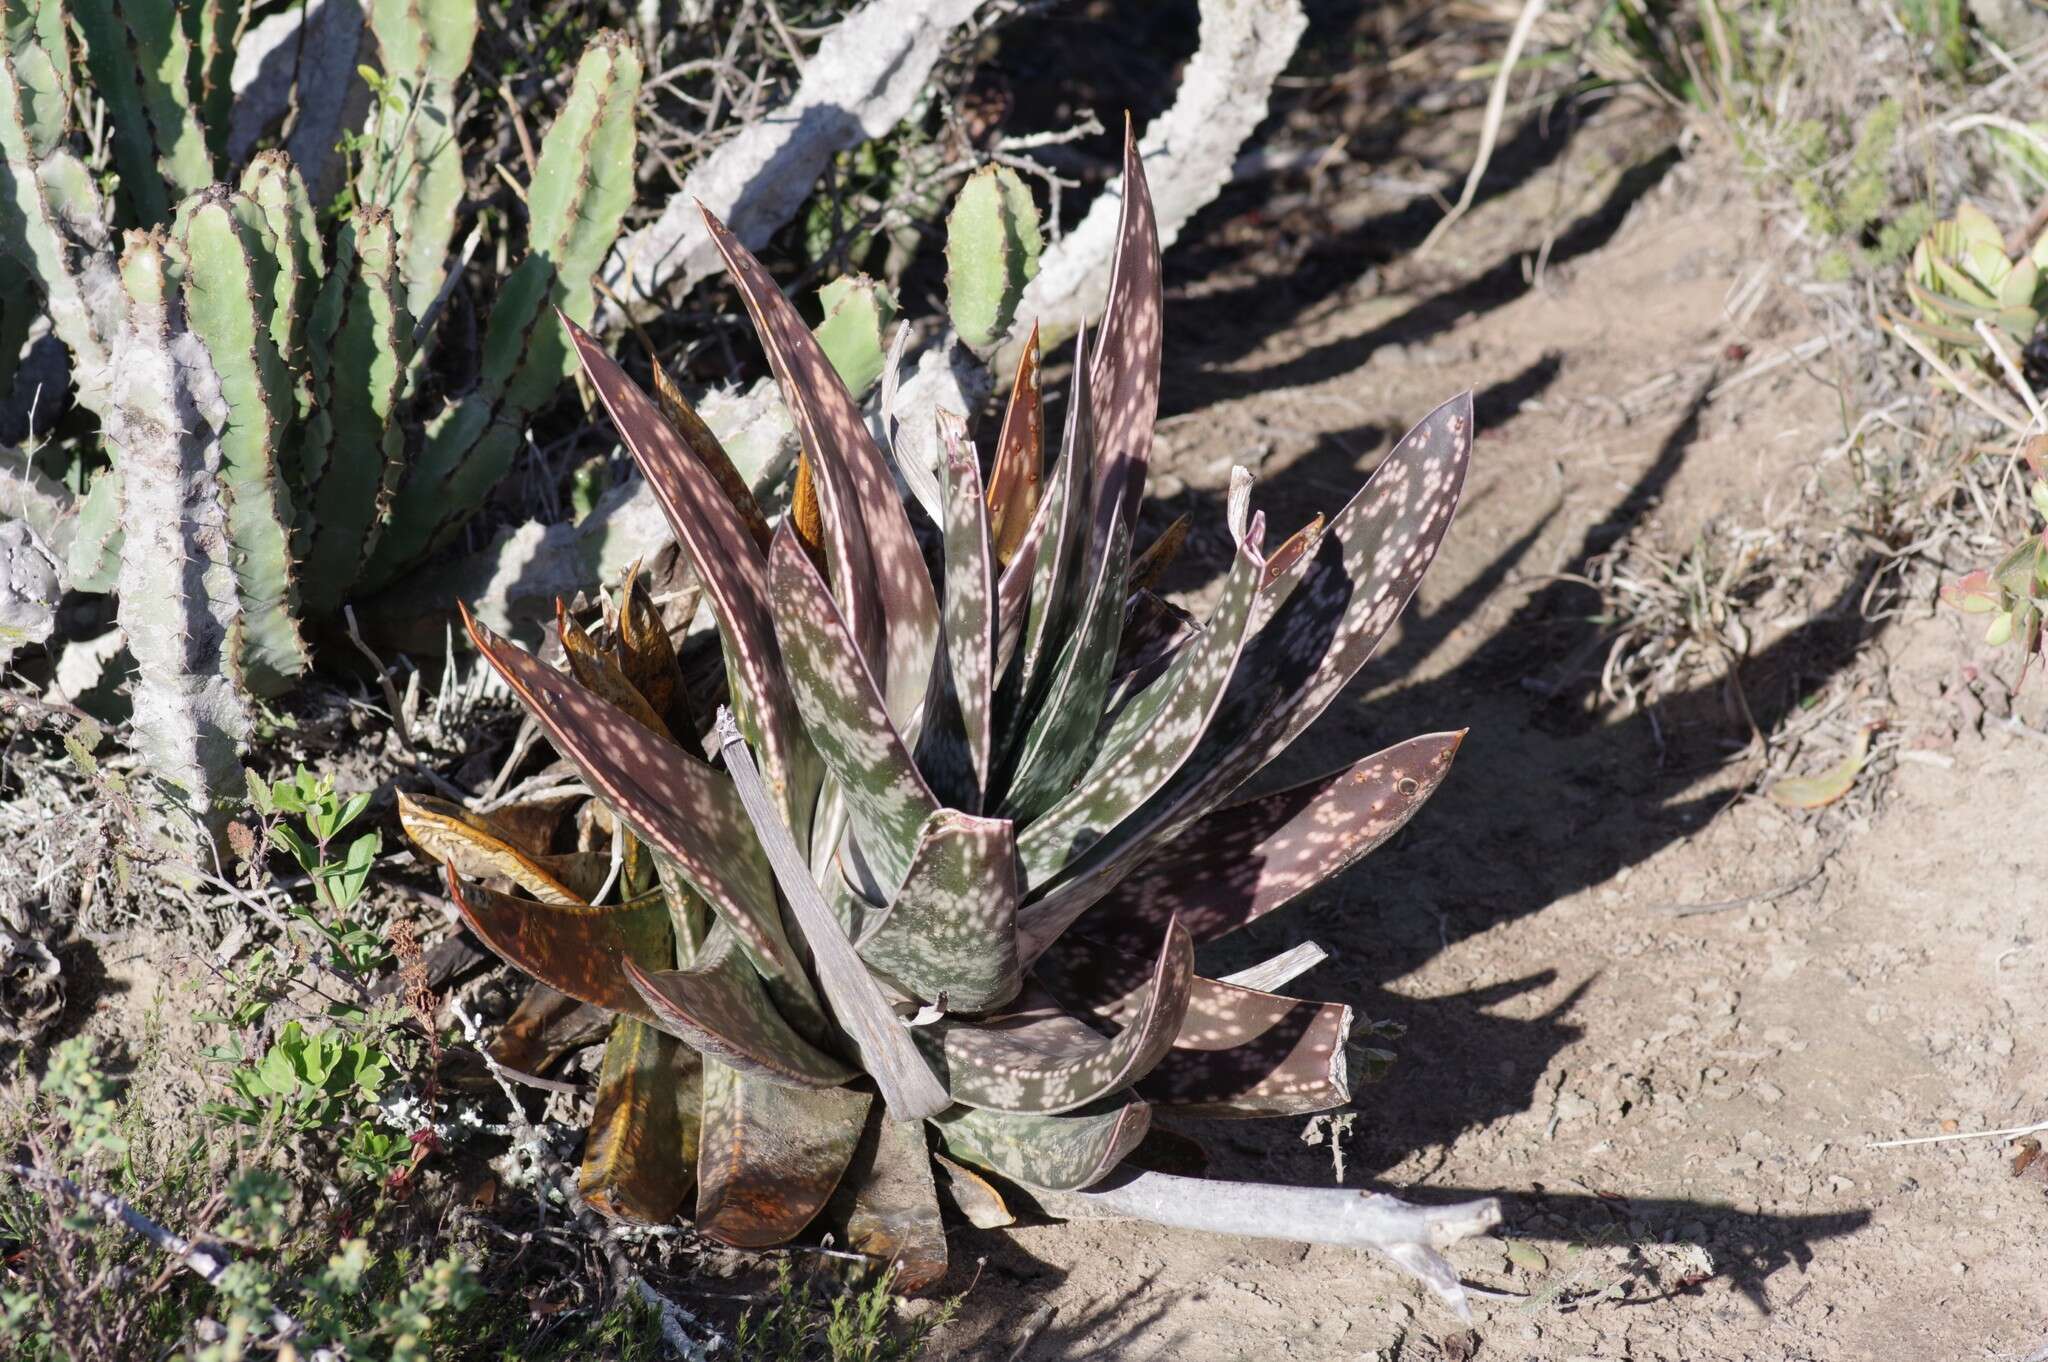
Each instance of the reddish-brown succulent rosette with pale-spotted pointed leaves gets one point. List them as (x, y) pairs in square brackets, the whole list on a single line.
[(968, 837)]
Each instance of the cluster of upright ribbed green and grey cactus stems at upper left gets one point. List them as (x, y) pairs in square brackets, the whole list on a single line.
[(306, 431)]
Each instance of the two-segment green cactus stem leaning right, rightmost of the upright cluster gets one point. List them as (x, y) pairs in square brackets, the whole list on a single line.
[(577, 202)]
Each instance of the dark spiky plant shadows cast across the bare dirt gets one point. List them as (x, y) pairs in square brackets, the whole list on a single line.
[(1549, 798)]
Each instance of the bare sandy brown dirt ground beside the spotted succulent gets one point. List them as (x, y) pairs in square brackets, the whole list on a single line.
[(1676, 1107)]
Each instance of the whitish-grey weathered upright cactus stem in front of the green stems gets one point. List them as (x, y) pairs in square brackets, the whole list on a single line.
[(179, 597)]
